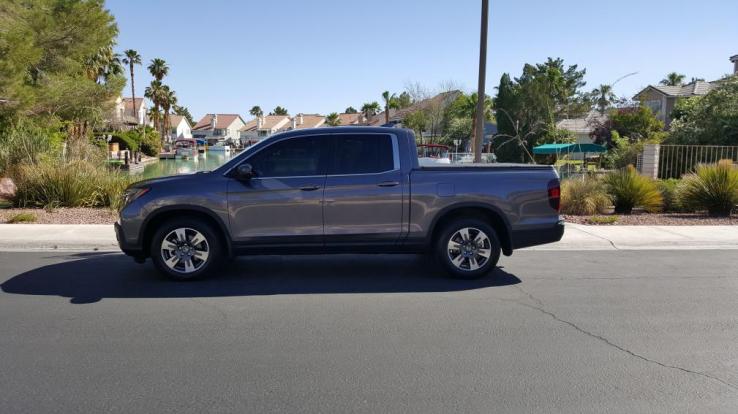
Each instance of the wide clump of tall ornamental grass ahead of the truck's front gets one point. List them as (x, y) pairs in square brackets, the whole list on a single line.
[(76, 183)]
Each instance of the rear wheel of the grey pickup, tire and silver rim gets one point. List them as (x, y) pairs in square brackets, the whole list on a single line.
[(468, 248)]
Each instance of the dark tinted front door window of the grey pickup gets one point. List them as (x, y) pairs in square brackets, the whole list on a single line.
[(290, 158)]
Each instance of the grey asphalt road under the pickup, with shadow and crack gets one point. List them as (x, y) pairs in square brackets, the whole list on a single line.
[(568, 332)]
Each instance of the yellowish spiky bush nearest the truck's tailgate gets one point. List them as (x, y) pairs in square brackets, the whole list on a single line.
[(583, 196)]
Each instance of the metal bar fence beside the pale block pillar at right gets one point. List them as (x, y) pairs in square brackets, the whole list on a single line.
[(677, 160)]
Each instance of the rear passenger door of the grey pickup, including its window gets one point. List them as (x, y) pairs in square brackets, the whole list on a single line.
[(363, 190)]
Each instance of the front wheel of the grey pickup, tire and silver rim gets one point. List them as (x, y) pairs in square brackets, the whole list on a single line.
[(186, 249)]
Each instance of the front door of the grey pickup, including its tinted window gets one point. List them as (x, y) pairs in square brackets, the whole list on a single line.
[(283, 202)]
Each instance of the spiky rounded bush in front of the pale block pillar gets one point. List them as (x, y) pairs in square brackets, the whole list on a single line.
[(628, 190)]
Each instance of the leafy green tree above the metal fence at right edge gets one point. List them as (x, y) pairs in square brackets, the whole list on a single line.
[(708, 120)]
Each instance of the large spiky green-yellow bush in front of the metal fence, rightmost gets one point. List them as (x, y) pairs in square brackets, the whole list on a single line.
[(711, 187)]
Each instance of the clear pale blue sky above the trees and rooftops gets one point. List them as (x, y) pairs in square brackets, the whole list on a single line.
[(324, 55)]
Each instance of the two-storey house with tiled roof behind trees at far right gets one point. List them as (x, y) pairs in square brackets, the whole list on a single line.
[(662, 99)]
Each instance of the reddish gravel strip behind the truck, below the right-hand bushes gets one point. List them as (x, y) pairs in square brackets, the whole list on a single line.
[(645, 219)]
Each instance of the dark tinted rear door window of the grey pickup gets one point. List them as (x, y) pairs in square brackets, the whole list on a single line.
[(362, 154)]
